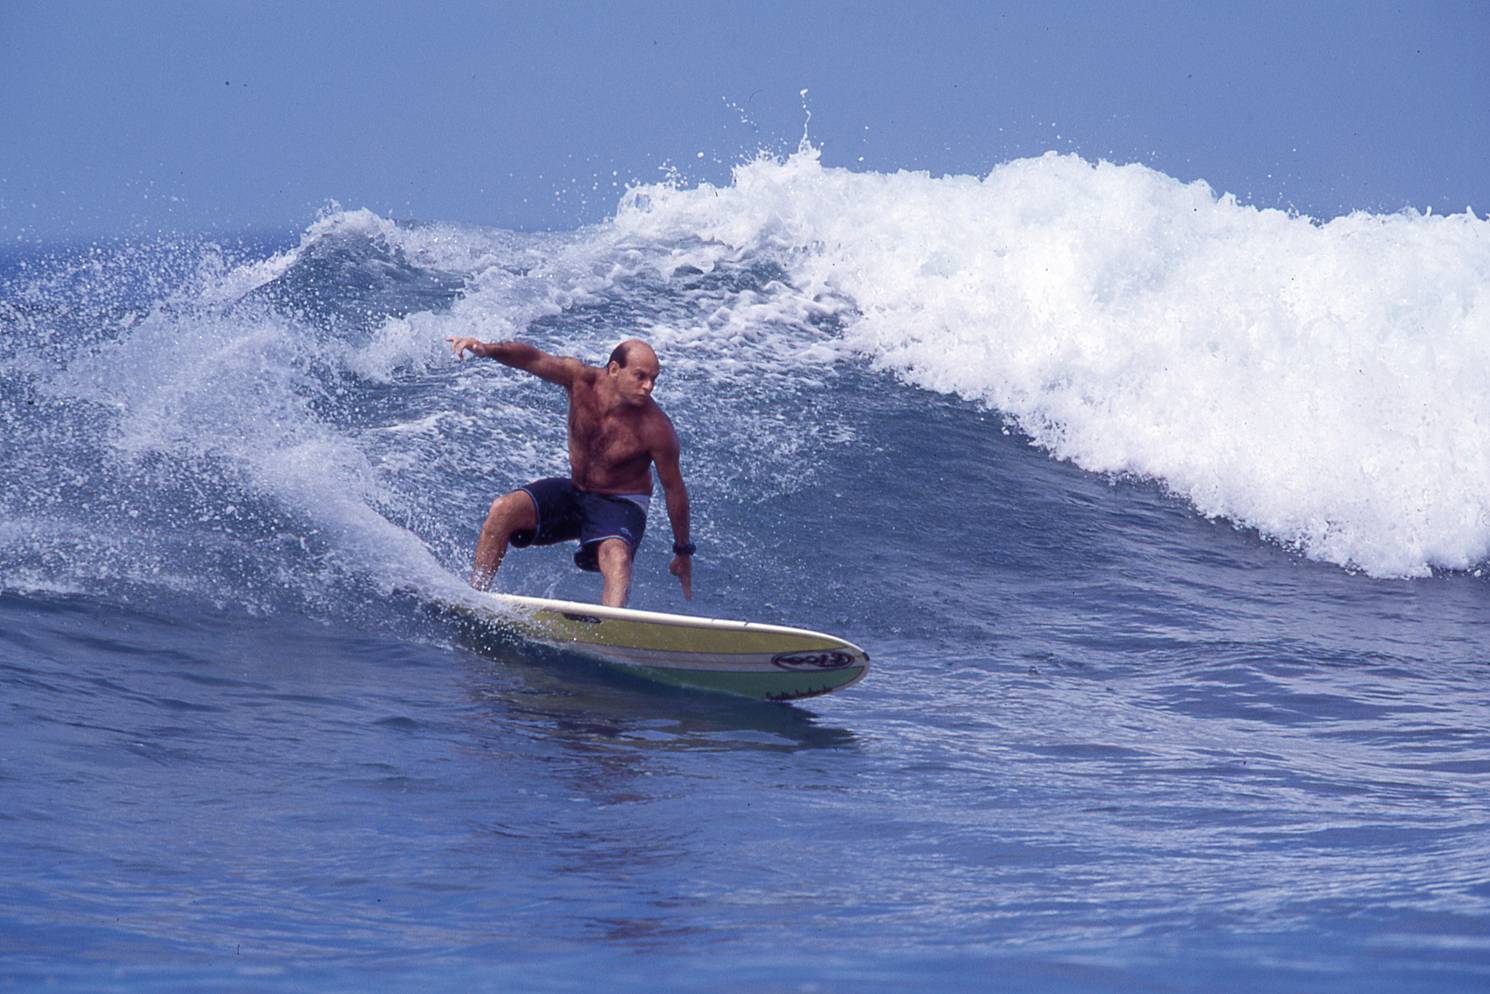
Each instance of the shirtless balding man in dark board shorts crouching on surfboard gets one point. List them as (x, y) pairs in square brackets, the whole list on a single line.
[(616, 434)]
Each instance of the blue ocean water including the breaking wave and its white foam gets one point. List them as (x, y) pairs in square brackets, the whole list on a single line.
[(1164, 521)]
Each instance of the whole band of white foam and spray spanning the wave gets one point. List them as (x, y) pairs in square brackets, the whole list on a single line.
[(1325, 385)]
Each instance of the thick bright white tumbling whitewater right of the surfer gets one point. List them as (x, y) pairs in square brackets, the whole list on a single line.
[(1325, 384)]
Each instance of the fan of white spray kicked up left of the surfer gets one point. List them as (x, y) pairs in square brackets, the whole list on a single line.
[(232, 400)]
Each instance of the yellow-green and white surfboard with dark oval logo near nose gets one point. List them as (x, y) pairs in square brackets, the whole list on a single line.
[(747, 659)]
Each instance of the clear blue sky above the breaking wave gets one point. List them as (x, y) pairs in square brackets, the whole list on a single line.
[(126, 118)]
